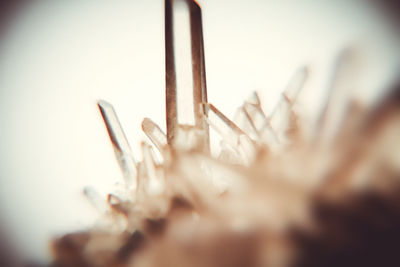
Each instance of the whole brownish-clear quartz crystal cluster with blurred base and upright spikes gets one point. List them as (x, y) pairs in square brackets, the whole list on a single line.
[(283, 191)]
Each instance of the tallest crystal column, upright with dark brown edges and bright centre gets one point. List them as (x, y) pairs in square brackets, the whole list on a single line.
[(185, 71)]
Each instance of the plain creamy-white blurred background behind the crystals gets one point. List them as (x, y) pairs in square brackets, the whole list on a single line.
[(58, 57)]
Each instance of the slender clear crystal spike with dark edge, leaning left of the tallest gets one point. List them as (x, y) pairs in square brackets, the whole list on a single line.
[(120, 144)]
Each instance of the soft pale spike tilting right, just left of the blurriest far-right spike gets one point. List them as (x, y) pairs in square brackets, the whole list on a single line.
[(281, 115)]
